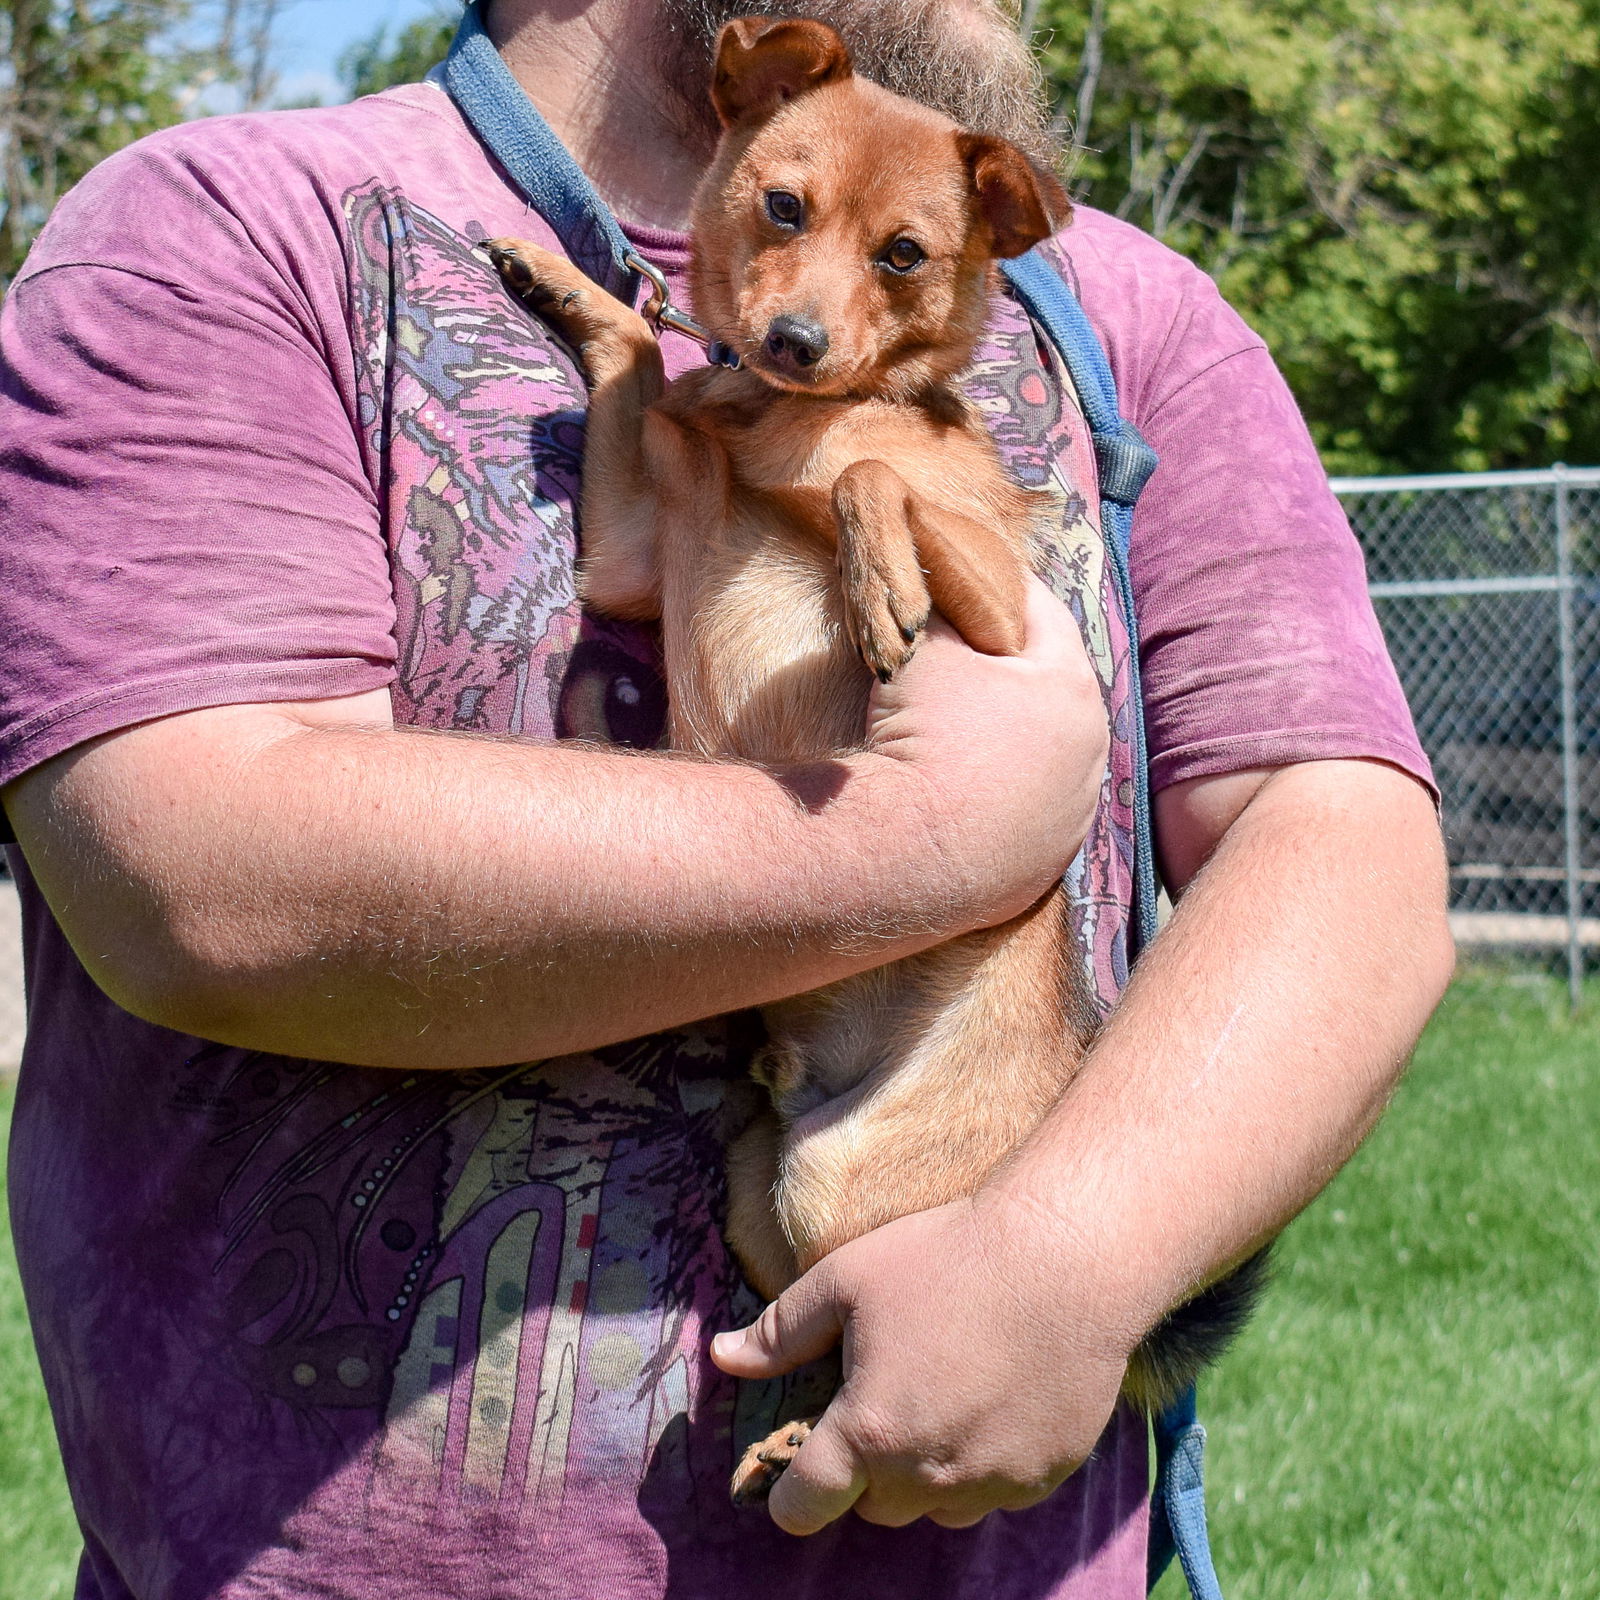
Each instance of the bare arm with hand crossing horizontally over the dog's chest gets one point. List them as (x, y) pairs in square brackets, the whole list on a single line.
[(316, 882)]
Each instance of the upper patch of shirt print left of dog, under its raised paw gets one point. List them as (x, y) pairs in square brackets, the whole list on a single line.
[(473, 414)]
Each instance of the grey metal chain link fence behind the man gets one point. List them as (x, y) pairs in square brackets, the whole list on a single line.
[(1489, 593)]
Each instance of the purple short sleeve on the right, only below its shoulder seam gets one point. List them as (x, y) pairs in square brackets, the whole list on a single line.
[(1260, 641)]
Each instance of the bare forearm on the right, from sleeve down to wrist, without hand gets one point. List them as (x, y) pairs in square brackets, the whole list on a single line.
[(1257, 1044)]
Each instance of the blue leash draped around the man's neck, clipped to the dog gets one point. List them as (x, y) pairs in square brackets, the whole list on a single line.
[(524, 143)]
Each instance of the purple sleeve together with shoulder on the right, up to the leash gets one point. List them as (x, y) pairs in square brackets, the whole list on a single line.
[(1258, 639)]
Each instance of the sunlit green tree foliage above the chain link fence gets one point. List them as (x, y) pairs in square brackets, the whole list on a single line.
[(1396, 196)]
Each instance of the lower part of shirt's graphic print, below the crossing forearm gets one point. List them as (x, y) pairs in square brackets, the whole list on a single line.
[(489, 1255)]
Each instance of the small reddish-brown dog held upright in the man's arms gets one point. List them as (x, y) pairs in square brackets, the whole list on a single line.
[(778, 522)]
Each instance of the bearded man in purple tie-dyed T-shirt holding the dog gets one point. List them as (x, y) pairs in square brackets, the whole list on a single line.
[(332, 1297)]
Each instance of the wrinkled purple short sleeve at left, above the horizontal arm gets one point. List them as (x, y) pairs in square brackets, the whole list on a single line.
[(185, 511)]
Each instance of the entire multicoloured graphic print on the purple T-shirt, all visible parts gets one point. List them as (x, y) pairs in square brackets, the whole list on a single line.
[(516, 1274)]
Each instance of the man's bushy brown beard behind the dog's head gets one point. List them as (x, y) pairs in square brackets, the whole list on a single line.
[(959, 57)]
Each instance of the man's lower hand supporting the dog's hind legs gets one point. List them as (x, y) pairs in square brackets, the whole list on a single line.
[(980, 1369)]
